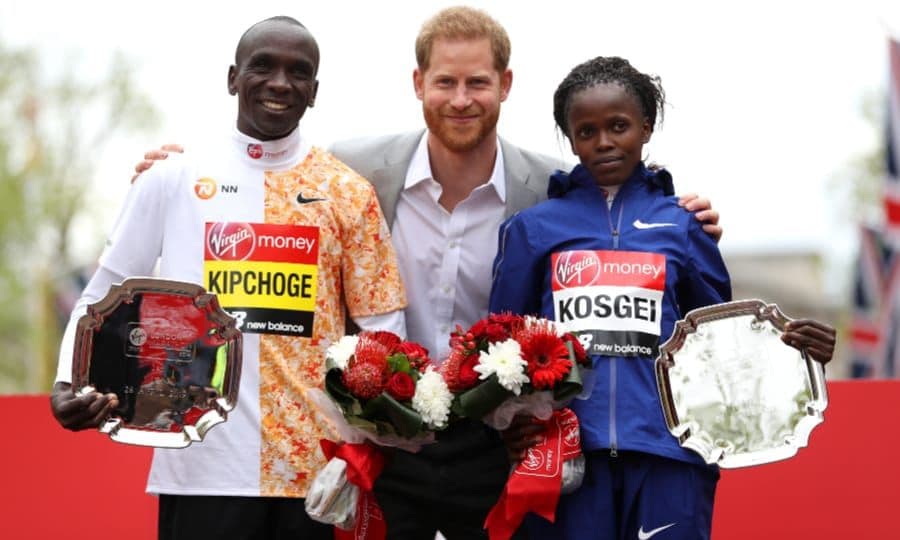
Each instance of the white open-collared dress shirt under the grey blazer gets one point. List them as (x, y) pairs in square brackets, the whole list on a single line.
[(446, 257)]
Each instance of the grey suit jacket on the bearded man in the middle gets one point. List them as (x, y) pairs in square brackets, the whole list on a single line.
[(384, 161)]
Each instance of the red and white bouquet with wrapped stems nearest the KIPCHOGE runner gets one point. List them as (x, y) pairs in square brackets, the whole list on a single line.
[(379, 391)]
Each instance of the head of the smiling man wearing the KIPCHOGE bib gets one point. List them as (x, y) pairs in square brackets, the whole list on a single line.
[(274, 78)]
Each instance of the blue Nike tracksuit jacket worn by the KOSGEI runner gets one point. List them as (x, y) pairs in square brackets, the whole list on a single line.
[(623, 413)]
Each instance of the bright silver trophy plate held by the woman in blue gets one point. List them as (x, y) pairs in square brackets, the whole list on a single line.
[(732, 391)]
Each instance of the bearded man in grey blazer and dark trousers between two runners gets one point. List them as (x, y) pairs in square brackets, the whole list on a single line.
[(444, 192)]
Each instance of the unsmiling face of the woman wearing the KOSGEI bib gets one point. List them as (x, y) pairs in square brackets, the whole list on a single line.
[(607, 131)]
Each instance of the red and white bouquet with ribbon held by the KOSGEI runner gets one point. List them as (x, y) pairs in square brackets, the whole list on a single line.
[(507, 365)]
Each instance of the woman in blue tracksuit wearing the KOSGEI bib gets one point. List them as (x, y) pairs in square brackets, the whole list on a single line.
[(613, 256)]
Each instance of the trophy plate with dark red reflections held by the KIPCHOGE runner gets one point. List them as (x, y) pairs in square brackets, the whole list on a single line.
[(168, 351)]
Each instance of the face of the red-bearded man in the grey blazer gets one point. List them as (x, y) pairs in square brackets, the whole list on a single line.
[(461, 92)]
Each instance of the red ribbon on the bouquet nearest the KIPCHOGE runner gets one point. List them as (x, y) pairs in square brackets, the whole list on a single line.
[(364, 464)]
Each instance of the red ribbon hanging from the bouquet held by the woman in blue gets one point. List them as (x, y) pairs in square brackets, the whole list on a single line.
[(535, 483)]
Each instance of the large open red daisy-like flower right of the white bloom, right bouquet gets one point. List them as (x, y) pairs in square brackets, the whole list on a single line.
[(546, 354)]
